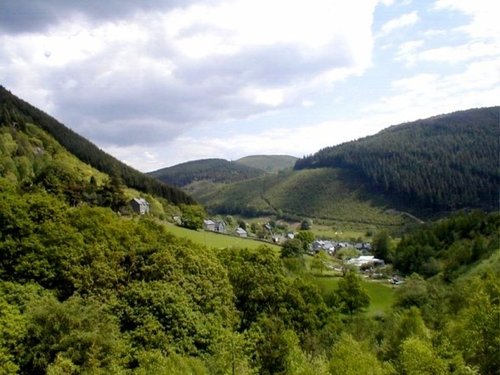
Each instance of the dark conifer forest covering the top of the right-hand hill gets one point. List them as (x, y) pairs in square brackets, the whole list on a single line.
[(442, 163)]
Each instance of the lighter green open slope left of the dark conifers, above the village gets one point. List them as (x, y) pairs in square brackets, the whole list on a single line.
[(328, 194)]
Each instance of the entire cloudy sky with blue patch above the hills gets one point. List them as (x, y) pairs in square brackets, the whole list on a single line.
[(160, 82)]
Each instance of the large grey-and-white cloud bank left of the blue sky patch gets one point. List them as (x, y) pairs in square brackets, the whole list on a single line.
[(128, 72)]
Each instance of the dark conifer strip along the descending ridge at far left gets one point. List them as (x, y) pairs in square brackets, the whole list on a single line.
[(16, 112)]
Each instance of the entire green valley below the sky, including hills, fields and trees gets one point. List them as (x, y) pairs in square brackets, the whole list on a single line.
[(90, 285)]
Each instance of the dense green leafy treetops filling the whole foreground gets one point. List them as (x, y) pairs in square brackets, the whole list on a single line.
[(83, 290)]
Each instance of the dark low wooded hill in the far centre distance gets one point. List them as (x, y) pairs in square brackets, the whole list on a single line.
[(211, 170)]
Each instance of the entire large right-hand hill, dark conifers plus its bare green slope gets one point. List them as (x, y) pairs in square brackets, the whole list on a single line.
[(426, 168)]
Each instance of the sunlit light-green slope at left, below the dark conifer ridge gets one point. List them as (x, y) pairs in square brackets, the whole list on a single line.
[(31, 160)]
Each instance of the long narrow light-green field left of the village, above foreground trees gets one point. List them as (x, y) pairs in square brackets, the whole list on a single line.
[(216, 240)]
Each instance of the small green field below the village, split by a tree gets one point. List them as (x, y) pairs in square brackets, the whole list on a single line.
[(381, 295)]
